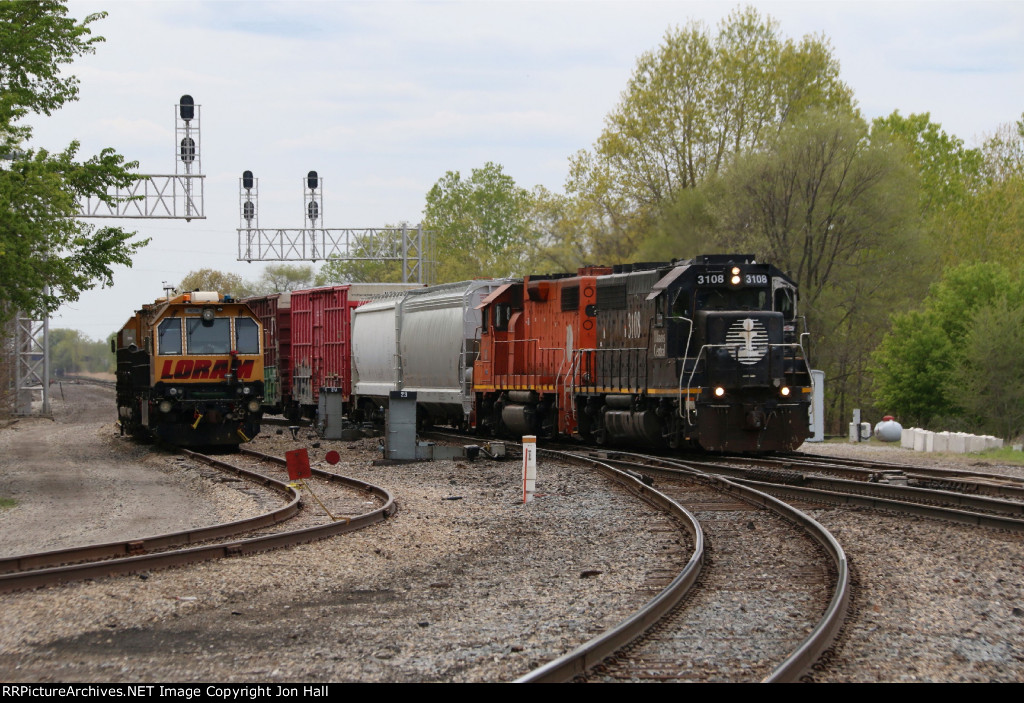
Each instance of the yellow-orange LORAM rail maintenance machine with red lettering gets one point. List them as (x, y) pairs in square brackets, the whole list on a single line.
[(190, 371)]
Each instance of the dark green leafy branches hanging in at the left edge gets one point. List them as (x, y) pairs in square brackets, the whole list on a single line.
[(47, 256)]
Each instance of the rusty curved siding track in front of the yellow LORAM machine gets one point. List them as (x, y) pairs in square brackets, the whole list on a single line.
[(356, 503)]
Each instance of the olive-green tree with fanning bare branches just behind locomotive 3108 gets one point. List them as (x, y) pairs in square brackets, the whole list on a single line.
[(838, 212)]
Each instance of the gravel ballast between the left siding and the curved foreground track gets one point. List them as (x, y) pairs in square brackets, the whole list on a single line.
[(464, 584)]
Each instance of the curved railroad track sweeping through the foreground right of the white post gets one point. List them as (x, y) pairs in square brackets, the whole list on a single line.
[(689, 634)]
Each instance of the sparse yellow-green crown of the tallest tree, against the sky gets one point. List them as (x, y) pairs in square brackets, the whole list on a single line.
[(692, 106)]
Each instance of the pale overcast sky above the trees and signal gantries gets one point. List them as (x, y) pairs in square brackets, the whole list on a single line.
[(382, 99)]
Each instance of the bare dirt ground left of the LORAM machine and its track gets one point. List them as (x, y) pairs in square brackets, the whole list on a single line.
[(75, 481)]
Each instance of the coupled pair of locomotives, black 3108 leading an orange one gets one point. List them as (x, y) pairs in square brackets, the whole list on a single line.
[(702, 354)]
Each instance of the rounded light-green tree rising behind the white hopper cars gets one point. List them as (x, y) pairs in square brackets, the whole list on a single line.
[(481, 225)]
